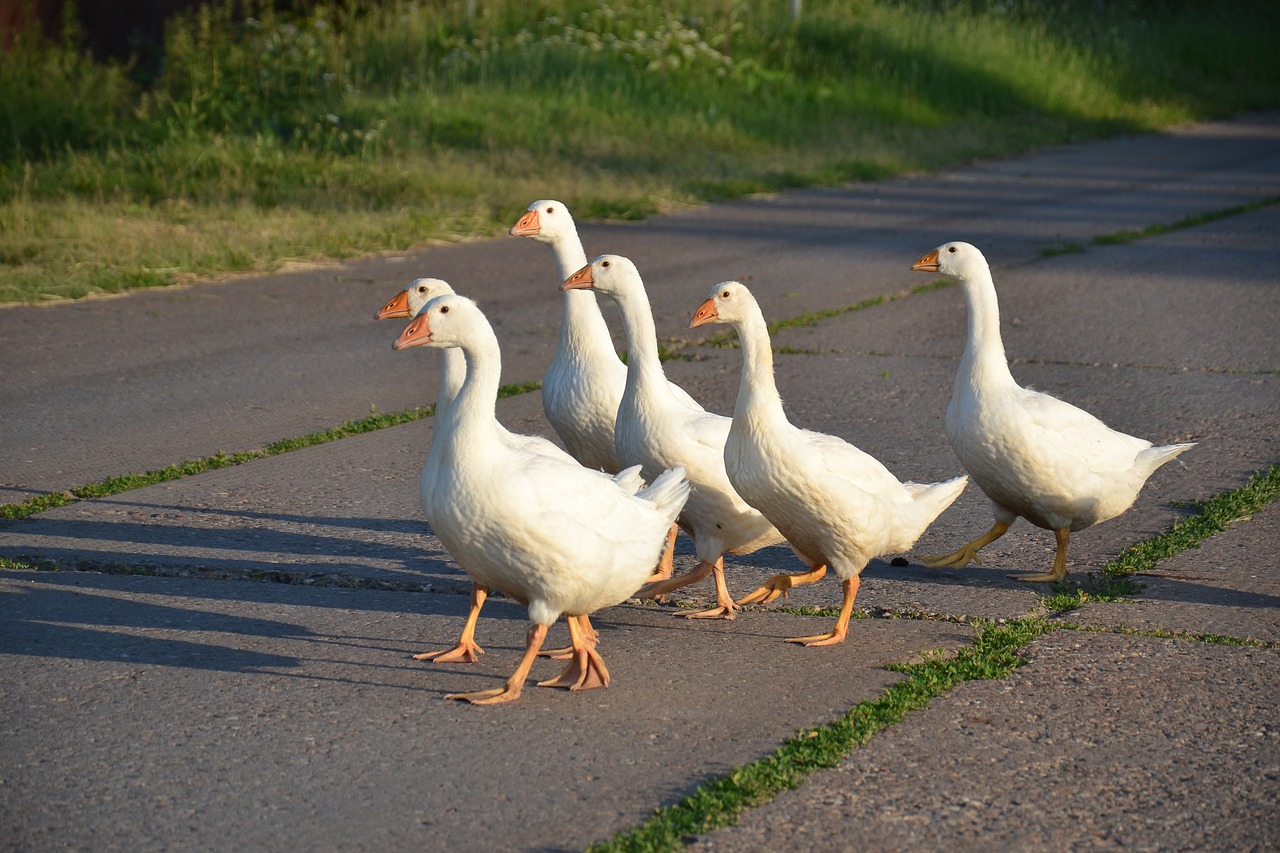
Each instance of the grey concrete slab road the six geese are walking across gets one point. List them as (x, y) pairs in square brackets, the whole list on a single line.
[(199, 711)]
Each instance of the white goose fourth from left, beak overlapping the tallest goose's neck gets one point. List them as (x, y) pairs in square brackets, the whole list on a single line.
[(659, 431)]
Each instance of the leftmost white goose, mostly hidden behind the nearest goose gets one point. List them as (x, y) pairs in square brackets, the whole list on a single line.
[(408, 304)]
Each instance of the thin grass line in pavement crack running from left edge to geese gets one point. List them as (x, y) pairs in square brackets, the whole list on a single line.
[(126, 482)]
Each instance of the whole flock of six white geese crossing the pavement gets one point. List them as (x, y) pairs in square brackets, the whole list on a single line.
[(568, 533)]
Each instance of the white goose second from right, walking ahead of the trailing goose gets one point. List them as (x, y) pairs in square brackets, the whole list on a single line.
[(836, 505)]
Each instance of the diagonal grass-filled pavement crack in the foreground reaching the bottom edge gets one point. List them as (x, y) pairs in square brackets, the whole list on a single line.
[(994, 655)]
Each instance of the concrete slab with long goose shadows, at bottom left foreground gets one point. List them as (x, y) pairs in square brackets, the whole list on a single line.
[(152, 714)]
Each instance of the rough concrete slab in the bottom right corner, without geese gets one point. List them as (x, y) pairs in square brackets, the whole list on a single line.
[(1100, 742)]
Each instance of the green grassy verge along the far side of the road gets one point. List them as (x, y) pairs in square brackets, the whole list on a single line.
[(359, 129)]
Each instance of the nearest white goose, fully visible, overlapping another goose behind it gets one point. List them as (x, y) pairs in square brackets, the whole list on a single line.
[(547, 532)]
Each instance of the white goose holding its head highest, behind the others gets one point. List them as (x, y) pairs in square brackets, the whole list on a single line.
[(584, 384)]
